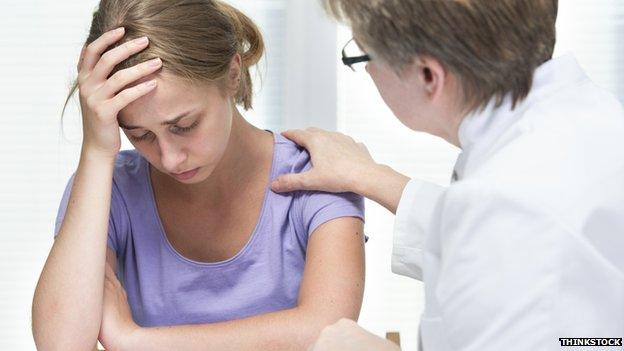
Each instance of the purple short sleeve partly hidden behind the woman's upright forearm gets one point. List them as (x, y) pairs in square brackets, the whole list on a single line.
[(115, 220)]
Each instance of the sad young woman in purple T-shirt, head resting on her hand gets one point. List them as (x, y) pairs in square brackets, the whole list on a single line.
[(208, 257)]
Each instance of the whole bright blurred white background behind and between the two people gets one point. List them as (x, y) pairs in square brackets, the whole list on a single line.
[(303, 85)]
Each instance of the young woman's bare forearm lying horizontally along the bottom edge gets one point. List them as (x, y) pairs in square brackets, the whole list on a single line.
[(292, 329)]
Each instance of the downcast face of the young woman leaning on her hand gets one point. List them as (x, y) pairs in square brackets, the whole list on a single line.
[(180, 127)]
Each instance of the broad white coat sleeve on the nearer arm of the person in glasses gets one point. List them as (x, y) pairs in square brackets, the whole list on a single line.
[(497, 281)]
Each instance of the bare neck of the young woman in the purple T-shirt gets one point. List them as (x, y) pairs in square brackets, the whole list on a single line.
[(245, 156)]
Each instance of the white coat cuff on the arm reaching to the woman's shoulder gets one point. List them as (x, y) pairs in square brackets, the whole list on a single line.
[(413, 220)]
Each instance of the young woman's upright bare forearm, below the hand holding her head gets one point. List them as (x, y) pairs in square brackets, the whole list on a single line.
[(67, 305)]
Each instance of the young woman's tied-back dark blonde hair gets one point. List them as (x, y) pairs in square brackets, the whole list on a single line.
[(196, 39)]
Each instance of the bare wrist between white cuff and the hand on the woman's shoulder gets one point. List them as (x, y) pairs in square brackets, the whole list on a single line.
[(383, 185)]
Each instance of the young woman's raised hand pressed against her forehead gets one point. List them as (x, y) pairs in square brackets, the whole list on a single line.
[(101, 97)]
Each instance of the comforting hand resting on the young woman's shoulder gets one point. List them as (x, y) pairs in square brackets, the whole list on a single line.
[(339, 164)]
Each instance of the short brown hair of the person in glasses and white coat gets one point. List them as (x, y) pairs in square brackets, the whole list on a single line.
[(492, 46)]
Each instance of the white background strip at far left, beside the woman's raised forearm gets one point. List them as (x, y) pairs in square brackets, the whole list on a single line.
[(38, 44)]
